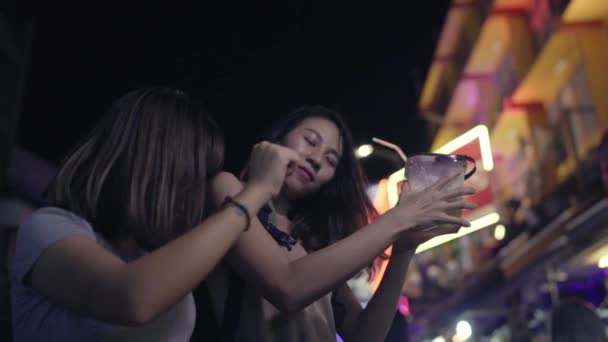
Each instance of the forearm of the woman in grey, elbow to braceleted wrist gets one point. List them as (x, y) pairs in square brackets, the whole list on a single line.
[(158, 280)]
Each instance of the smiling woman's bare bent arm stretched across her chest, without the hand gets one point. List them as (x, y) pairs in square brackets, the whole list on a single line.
[(292, 285)]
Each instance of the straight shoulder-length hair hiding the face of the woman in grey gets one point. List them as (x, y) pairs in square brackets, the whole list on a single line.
[(143, 170)]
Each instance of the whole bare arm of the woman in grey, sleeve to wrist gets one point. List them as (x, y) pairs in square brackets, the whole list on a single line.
[(80, 274)]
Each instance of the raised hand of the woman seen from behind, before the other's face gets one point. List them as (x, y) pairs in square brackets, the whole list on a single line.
[(268, 166)]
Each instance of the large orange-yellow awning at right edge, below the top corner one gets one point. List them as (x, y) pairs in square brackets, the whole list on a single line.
[(577, 53)]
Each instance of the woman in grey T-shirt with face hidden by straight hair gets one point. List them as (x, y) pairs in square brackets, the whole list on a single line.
[(126, 236)]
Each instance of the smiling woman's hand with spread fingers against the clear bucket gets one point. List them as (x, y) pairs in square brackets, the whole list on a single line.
[(429, 207)]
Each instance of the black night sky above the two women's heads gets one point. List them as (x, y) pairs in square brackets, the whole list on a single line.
[(251, 62)]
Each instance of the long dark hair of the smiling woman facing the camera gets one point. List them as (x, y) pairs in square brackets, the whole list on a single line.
[(341, 206)]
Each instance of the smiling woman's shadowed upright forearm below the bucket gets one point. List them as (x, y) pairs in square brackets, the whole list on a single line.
[(375, 320)]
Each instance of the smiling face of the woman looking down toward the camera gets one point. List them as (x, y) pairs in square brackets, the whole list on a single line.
[(319, 142)]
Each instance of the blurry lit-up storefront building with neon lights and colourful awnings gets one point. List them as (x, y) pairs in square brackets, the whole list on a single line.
[(530, 104)]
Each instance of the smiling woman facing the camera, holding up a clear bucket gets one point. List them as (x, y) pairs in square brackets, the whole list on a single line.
[(285, 279)]
